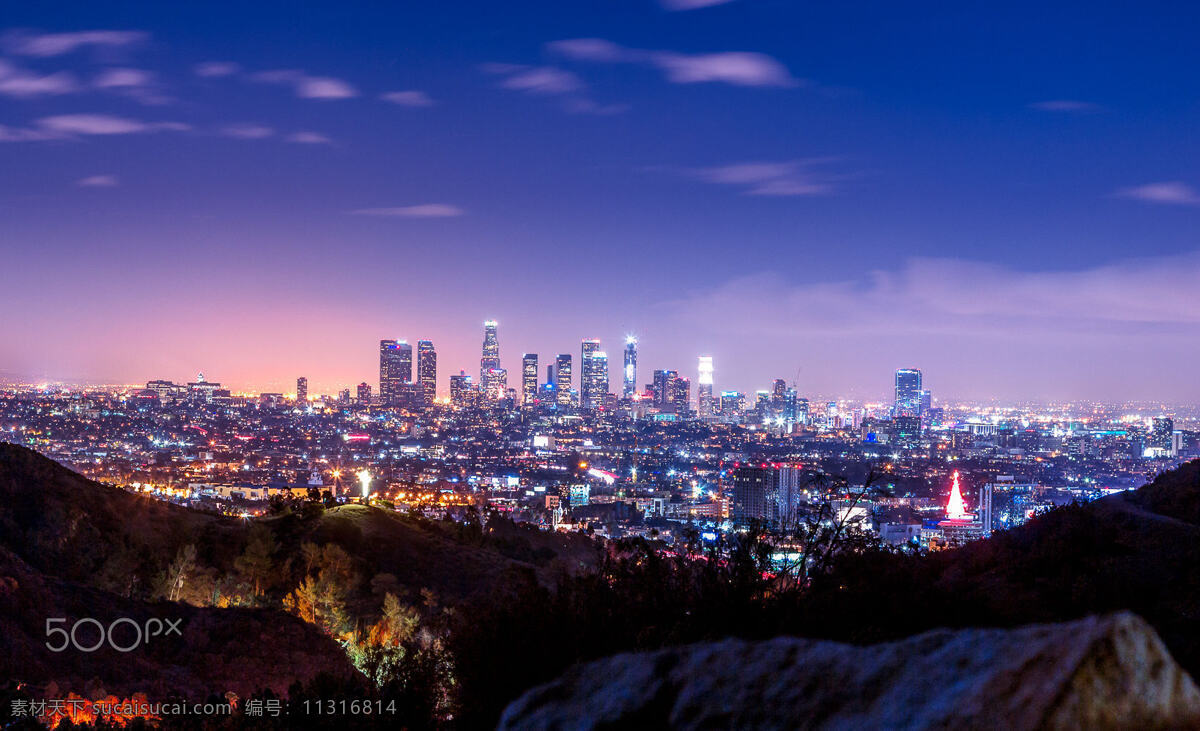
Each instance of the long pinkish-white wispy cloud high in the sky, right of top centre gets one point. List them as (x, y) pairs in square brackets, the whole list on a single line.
[(739, 69)]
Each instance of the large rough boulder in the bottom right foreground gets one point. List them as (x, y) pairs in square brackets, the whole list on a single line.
[(1099, 673)]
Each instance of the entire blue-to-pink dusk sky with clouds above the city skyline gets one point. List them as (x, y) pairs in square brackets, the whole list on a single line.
[(1006, 196)]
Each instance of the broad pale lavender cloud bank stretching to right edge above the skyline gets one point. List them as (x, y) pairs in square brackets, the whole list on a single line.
[(941, 296)]
